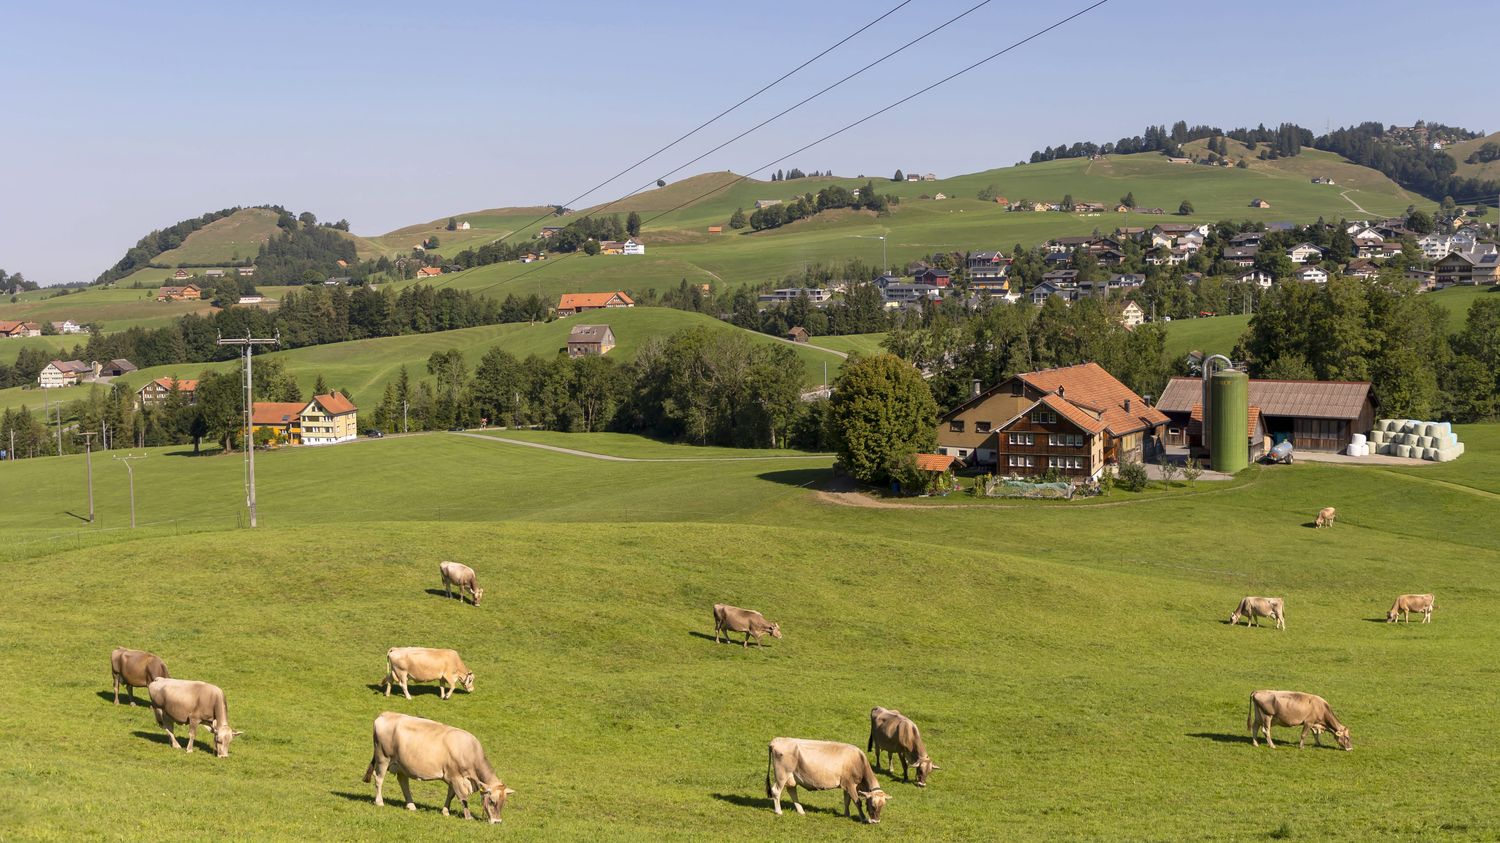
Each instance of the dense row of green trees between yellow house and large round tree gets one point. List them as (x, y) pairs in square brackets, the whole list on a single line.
[(701, 386)]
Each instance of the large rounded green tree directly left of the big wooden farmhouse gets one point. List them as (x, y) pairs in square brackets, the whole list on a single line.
[(880, 413)]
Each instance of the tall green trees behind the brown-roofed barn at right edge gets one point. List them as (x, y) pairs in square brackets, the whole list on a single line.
[(1387, 334)]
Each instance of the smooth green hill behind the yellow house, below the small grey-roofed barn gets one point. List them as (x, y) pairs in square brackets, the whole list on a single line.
[(365, 367)]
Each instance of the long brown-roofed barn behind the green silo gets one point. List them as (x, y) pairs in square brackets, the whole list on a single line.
[(1315, 416)]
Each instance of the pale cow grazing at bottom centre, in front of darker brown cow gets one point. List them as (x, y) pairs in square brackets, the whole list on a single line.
[(823, 766)]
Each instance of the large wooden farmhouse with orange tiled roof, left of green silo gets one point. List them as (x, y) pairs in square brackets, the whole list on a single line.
[(1073, 421)]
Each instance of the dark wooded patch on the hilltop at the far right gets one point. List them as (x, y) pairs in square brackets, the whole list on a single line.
[(1415, 167)]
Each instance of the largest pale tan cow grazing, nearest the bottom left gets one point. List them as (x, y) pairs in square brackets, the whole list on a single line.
[(428, 751)]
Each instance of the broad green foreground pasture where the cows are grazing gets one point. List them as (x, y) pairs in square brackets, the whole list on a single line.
[(1081, 686)]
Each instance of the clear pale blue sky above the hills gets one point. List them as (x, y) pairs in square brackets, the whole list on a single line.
[(130, 118)]
